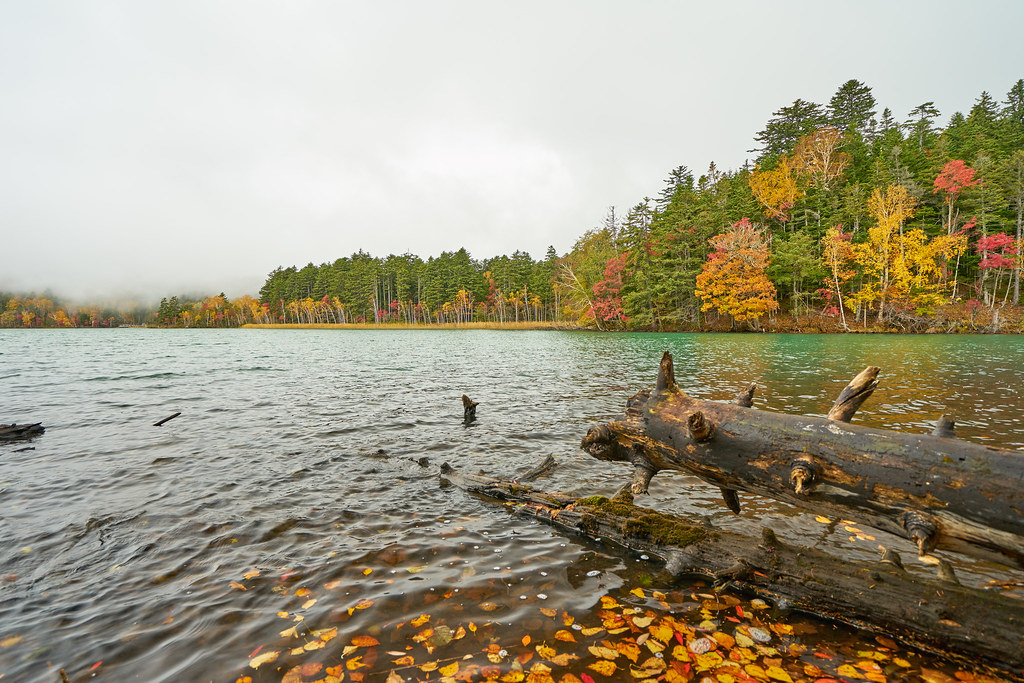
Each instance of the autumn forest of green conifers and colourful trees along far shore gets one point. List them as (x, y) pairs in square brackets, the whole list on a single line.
[(847, 219)]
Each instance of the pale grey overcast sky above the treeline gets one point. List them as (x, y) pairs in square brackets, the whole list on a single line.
[(192, 147)]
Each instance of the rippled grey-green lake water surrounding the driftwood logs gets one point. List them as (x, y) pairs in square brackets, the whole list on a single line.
[(293, 484)]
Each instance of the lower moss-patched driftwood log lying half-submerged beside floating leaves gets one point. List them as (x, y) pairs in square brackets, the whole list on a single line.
[(937, 615)]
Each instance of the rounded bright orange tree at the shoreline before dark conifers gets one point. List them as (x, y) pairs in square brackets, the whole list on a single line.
[(734, 280)]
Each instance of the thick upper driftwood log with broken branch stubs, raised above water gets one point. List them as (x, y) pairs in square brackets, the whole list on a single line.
[(934, 490)]
